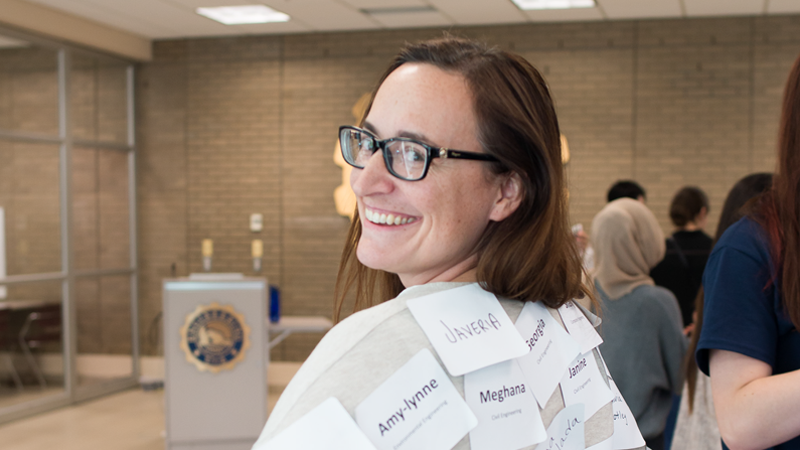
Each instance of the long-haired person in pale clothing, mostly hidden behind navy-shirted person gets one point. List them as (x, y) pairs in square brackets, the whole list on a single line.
[(697, 424)]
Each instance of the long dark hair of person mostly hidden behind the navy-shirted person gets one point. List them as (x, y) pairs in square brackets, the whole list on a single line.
[(736, 204)]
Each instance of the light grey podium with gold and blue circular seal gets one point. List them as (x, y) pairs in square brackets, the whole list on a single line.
[(215, 357)]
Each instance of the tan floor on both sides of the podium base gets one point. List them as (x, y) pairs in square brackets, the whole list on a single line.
[(130, 420)]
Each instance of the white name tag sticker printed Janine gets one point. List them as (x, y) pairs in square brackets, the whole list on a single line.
[(583, 383)]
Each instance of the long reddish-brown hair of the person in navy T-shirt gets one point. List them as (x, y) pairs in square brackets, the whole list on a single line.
[(778, 210)]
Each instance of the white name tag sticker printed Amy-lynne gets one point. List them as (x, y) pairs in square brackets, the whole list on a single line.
[(416, 407)]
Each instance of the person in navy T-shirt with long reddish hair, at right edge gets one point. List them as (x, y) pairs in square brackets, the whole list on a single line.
[(750, 345)]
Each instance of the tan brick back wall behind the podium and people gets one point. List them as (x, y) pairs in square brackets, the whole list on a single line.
[(233, 126)]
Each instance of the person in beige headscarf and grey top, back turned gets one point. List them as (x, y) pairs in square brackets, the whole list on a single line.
[(642, 333)]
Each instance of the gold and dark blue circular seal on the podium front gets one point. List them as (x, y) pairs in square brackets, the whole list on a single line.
[(215, 337)]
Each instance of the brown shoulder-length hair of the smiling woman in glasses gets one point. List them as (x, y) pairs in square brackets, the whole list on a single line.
[(531, 255)]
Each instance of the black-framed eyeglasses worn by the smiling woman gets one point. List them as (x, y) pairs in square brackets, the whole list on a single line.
[(405, 158)]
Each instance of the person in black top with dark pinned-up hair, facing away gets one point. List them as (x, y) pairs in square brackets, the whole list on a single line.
[(681, 270)]
